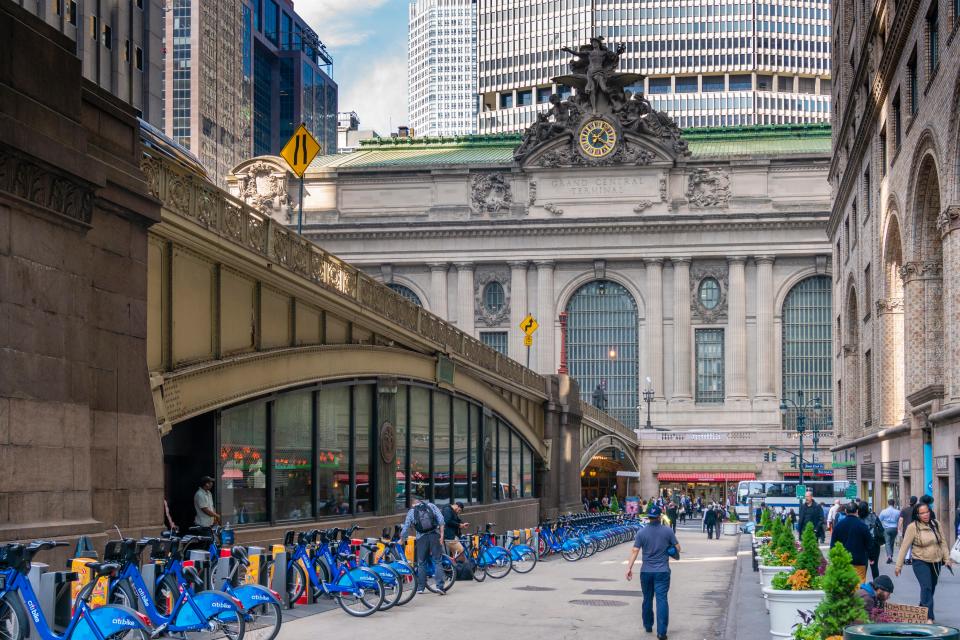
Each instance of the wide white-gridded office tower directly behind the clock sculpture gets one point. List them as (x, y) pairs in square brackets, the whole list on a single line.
[(706, 63)]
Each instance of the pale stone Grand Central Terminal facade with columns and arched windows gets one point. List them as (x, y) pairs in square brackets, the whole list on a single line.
[(701, 252)]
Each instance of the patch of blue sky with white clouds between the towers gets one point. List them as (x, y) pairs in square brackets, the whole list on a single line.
[(368, 41)]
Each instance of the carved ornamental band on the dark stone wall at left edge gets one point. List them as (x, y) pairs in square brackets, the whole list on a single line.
[(45, 187)]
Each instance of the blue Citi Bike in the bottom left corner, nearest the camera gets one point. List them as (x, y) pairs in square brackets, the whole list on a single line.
[(109, 622)]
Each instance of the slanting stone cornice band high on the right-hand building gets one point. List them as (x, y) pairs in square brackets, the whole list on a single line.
[(886, 70)]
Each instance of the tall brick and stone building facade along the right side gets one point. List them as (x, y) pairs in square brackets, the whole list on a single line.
[(895, 231)]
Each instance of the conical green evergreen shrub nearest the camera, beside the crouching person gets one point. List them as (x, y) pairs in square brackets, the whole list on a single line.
[(840, 607)]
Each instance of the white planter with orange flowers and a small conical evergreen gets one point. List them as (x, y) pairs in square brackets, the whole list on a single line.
[(797, 590)]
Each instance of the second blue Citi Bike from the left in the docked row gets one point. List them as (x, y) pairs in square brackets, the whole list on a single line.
[(181, 608)]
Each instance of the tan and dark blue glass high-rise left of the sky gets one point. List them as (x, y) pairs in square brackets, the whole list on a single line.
[(242, 88)]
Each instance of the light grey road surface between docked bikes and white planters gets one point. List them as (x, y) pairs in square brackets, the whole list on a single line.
[(558, 600)]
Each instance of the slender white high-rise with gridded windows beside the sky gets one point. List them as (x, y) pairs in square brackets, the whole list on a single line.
[(442, 67)]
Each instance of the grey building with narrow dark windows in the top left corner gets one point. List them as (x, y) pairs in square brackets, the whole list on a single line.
[(120, 45)]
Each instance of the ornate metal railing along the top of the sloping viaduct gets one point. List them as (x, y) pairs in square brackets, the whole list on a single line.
[(204, 204)]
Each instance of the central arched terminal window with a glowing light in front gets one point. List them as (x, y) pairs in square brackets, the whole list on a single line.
[(602, 349)]
